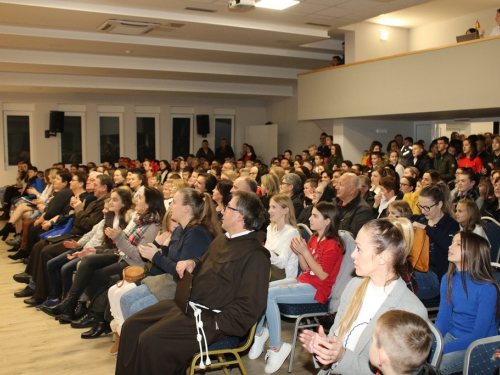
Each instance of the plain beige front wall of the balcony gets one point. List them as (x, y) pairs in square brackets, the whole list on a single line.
[(458, 77)]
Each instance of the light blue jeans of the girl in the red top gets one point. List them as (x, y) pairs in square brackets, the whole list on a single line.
[(283, 291)]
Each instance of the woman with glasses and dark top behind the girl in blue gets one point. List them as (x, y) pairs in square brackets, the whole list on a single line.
[(437, 221)]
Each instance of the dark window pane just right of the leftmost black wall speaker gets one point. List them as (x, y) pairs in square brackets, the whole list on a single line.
[(71, 140)]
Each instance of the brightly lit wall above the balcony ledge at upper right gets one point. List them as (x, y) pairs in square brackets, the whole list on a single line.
[(443, 33)]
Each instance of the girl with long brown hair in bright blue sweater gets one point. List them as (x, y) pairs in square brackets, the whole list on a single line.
[(469, 309)]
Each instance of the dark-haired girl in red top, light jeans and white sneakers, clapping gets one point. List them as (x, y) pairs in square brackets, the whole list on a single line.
[(319, 260)]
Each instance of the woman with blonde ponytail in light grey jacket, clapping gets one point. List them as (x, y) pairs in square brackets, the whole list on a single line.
[(380, 262)]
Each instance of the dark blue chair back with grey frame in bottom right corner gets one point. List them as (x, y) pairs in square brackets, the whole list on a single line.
[(483, 357)]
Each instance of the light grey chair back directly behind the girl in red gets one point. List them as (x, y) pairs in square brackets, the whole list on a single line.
[(346, 272)]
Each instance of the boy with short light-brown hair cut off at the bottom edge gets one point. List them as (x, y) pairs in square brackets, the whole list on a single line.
[(401, 344)]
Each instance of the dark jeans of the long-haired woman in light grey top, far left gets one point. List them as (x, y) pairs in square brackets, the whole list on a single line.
[(61, 269)]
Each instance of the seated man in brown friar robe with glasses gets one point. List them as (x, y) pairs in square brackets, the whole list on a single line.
[(232, 276)]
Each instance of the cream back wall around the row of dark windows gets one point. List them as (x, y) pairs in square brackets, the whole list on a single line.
[(45, 152)]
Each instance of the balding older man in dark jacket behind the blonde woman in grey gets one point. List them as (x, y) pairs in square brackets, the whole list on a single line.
[(354, 211)]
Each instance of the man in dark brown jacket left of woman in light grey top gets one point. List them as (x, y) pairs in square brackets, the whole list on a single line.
[(43, 251)]
